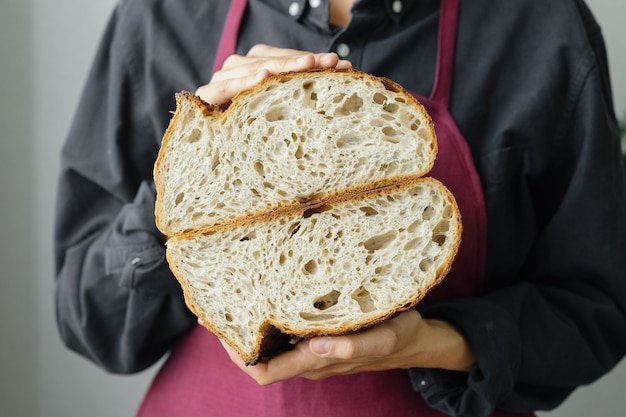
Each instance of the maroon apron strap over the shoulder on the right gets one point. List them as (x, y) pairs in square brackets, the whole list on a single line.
[(448, 20)]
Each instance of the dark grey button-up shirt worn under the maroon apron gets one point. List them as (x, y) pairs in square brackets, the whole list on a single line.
[(531, 96)]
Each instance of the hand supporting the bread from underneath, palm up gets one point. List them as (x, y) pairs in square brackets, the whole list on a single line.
[(406, 341)]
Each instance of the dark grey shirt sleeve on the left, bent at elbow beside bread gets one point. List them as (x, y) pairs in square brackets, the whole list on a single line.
[(117, 302)]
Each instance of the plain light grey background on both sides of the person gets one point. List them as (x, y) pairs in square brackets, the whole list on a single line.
[(46, 48)]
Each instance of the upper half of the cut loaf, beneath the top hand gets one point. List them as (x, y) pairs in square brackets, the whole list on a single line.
[(295, 138)]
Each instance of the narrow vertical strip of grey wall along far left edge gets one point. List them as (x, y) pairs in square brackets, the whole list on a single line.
[(18, 286)]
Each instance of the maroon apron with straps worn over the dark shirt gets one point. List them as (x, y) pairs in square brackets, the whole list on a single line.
[(199, 379)]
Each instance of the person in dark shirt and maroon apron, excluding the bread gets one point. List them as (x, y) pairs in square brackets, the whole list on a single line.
[(534, 303)]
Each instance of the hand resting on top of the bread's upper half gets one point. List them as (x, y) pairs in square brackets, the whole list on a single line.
[(243, 72)]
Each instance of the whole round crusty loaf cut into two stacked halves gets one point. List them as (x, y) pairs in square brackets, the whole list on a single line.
[(303, 210)]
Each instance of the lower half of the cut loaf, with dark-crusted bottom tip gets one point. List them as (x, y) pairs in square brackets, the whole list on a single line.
[(320, 269)]
